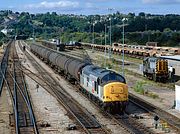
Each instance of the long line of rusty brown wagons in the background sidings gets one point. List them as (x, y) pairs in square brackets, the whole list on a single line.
[(136, 51)]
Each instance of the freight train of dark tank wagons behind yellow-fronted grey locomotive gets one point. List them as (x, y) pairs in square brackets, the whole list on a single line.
[(105, 87)]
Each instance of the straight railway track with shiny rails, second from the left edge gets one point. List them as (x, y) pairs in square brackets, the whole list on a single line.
[(23, 118)]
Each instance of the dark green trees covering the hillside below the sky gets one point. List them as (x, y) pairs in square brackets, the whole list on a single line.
[(140, 29)]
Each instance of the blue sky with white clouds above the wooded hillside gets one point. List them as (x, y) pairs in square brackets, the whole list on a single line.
[(93, 6)]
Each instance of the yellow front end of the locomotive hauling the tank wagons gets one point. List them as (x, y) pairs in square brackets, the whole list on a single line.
[(115, 96)]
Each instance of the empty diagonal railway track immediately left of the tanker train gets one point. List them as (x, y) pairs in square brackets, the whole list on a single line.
[(84, 118)]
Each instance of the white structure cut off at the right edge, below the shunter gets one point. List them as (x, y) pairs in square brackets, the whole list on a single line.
[(177, 93)]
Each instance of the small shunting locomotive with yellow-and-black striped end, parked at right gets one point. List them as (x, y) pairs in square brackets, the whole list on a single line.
[(155, 68)]
